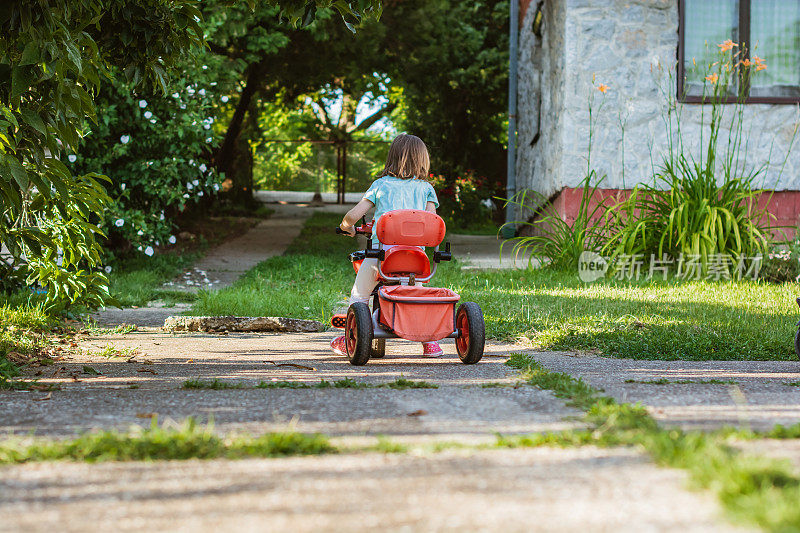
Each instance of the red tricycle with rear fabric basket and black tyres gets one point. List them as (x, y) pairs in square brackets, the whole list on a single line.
[(402, 307)]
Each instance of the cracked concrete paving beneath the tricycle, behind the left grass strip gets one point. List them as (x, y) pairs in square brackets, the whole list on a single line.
[(462, 405)]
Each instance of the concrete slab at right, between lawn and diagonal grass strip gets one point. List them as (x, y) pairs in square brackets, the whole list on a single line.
[(759, 396)]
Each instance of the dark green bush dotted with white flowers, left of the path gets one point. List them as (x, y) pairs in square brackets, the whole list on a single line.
[(155, 149)]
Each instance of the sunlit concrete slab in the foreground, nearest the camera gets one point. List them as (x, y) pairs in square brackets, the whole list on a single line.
[(584, 489)]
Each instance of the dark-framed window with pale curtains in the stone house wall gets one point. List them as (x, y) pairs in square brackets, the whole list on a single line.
[(769, 29)]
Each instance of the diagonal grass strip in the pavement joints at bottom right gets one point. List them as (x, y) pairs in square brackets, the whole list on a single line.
[(758, 490)]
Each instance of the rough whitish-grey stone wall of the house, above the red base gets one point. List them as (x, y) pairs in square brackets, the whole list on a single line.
[(628, 45)]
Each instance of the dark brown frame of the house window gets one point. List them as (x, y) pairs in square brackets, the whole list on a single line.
[(743, 37)]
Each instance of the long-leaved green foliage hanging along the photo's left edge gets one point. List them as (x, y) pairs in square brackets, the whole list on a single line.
[(53, 55)]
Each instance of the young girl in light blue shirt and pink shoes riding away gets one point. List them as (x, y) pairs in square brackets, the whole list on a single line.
[(402, 186)]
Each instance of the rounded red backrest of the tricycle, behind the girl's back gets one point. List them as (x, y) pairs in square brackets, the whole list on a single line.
[(410, 227)]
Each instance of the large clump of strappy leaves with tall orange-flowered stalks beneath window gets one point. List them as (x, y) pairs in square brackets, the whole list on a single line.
[(704, 206)]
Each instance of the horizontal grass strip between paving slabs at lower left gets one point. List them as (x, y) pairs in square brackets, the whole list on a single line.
[(189, 441)]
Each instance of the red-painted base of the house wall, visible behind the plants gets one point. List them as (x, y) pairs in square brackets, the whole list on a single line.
[(784, 206)]
